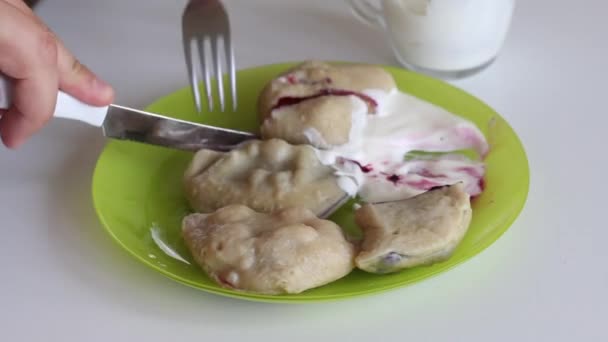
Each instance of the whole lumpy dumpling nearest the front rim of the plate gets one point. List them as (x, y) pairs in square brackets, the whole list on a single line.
[(289, 251)]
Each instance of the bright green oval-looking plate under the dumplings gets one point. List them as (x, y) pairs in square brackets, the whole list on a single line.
[(137, 188)]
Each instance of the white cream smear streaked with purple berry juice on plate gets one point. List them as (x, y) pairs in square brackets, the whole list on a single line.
[(373, 164)]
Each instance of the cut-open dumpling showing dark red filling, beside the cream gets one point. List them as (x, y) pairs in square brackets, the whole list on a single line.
[(321, 104)]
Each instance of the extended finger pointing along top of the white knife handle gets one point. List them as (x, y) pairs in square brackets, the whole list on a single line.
[(80, 82)]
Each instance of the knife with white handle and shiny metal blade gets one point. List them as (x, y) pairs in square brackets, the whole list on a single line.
[(118, 122)]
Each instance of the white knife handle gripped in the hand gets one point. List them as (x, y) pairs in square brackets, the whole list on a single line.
[(67, 107)]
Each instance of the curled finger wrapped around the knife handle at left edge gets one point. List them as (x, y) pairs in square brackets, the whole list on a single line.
[(29, 55)]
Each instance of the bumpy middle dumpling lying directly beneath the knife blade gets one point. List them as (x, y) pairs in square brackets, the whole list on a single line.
[(263, 175)]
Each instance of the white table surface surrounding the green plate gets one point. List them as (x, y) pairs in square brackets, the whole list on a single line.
[(545, 279)]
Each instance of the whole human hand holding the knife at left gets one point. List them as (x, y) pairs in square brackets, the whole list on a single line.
[(40, 65)]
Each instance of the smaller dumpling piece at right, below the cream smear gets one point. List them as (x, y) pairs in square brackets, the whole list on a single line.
[(417, 231)]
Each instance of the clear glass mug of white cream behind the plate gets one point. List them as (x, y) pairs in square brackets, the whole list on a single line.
[(444, 38)]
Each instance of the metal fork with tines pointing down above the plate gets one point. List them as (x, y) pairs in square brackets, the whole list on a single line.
[(206, 29)]
